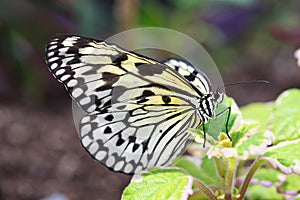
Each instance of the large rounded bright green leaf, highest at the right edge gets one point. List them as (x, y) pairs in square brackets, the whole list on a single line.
[(285, 120)]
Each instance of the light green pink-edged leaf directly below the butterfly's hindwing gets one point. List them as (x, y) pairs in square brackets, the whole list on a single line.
[(168, 183)]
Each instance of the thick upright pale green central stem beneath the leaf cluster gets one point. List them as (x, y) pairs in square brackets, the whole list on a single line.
[(229, 179)]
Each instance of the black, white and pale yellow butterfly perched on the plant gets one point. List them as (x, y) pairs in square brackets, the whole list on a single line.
[(138, 111)]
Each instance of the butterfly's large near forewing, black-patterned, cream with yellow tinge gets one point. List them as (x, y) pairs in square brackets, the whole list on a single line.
[(90, 69)]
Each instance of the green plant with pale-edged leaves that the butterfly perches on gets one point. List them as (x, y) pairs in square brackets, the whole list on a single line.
[(261, 162)]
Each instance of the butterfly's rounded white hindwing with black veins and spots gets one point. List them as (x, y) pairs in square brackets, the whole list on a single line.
[(132, 137)]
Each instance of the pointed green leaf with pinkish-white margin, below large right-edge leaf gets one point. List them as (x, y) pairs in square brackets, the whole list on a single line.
[(284, 156)]
